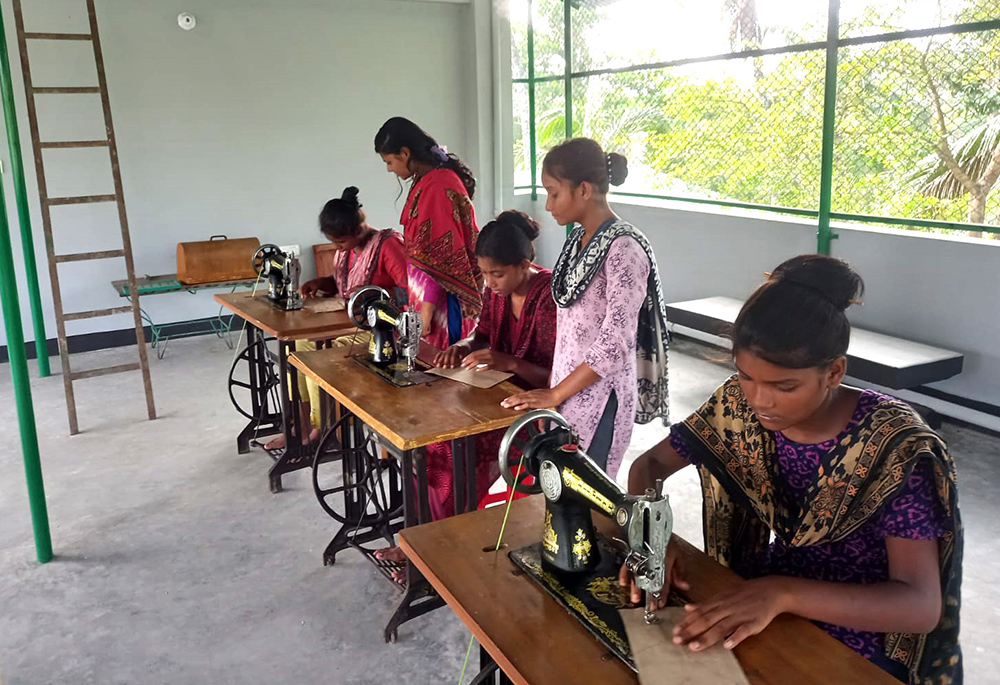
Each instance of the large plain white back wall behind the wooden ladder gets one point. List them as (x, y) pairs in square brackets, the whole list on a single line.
[(244, 126)]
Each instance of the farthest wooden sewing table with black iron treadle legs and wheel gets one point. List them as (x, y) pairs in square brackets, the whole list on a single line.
[(269, 414)]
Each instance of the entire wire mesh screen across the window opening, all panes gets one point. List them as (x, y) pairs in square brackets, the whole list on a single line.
[(723, 101)]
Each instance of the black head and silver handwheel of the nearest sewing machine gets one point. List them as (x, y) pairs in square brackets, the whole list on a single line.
[(542, 444)]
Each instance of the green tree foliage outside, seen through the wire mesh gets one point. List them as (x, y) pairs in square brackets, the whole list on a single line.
[(916, 119)]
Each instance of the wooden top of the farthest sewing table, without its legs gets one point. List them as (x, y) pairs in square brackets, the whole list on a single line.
[(301, 324)]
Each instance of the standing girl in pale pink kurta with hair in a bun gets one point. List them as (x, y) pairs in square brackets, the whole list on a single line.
[(609, 369)]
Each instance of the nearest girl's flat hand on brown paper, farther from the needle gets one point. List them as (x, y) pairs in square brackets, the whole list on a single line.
[(732, 616)]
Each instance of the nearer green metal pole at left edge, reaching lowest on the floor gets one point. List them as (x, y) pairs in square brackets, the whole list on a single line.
[(22, 391)]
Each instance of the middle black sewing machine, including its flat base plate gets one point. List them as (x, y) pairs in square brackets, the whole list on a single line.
[(395, 335)]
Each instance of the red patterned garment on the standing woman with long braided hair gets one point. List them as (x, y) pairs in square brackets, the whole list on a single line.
[(439, 226)]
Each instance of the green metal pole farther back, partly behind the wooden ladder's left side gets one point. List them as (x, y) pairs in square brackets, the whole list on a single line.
[(23, 213)]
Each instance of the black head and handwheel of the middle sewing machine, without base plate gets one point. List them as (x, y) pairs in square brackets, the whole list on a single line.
[(395, 333)]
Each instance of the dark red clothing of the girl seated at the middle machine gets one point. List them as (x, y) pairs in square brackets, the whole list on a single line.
[(533, 338)]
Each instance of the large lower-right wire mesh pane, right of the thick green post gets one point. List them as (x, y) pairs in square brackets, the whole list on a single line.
[(918, 128)]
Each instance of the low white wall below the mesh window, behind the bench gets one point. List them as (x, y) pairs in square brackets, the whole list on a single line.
[(932, 289)]
